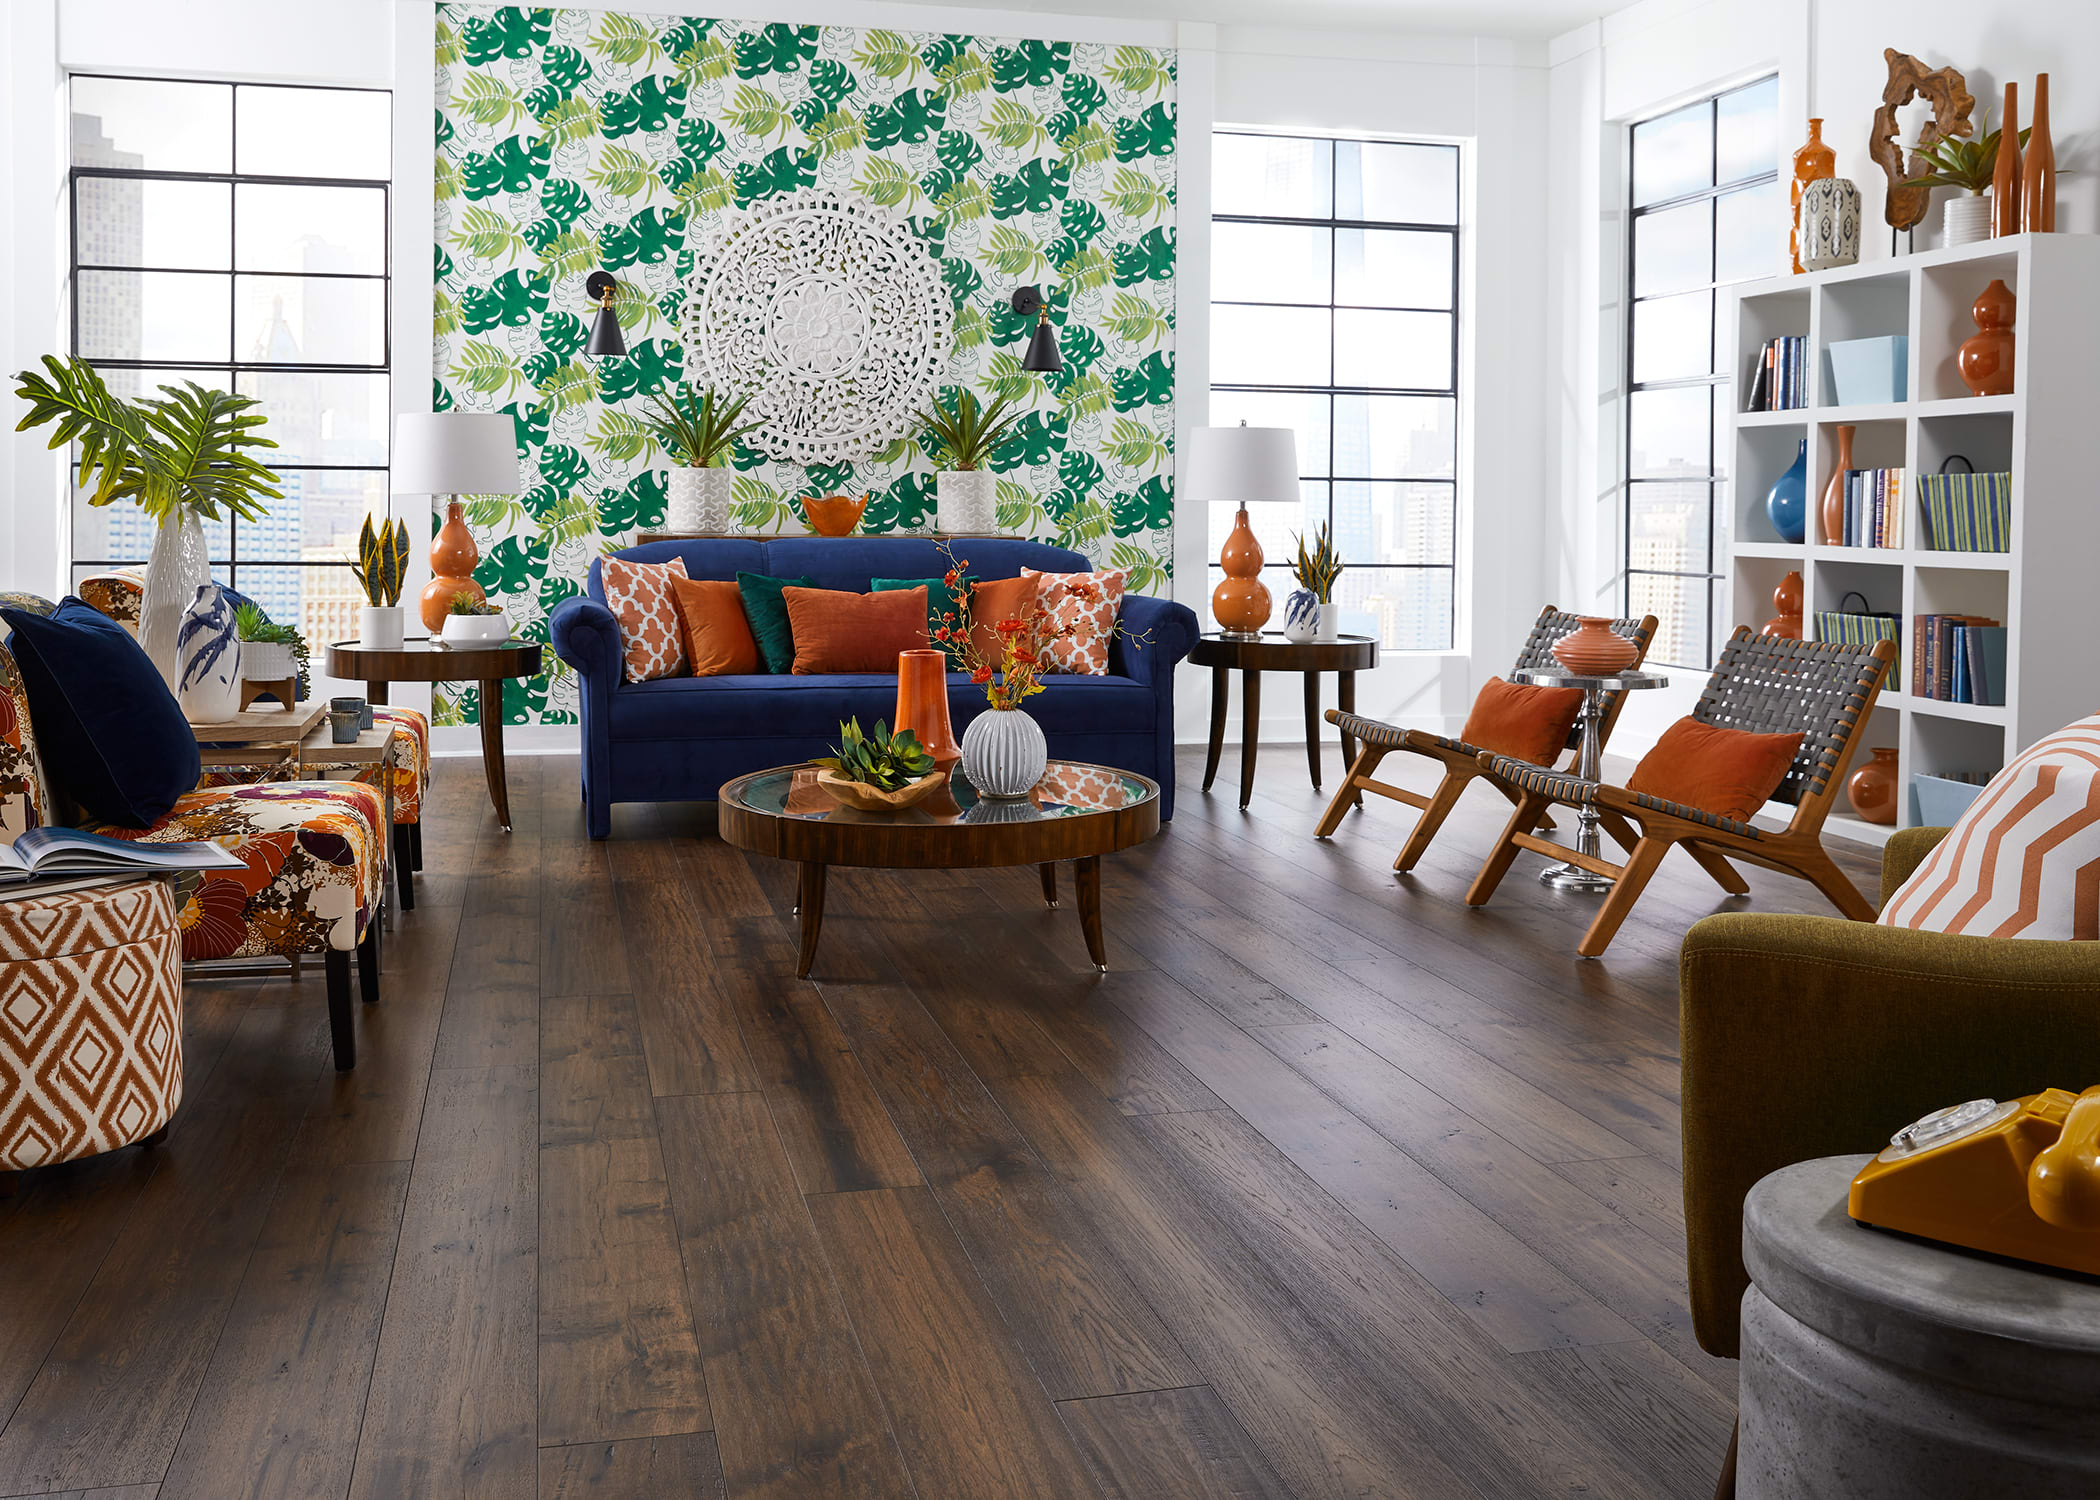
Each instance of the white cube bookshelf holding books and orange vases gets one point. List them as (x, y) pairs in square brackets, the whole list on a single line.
[(2049, 434)]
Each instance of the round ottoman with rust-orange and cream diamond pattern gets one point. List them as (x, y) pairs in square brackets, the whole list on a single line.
[(91, 1022)]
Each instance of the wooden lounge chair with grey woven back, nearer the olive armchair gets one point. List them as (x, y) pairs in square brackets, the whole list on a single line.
[(1647, 831)]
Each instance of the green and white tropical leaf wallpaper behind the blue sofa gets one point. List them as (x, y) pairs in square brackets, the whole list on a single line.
[(583, 140)]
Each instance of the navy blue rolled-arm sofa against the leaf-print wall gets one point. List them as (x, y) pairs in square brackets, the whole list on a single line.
[(681, 738)]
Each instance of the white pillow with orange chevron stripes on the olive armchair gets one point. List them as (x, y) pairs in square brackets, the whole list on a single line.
[(2025, 858)]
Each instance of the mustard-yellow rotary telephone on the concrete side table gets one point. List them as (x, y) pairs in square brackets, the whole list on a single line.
[(2017, 1180)]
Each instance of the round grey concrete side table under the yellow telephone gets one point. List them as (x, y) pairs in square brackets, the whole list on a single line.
[(1889, 1369)]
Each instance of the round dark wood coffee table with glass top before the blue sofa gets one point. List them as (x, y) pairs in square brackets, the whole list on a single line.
[(1076, 812)]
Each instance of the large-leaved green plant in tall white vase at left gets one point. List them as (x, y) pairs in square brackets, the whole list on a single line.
[(184, 459)]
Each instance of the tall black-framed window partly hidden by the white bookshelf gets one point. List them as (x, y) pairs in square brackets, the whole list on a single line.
[(1704, 203)]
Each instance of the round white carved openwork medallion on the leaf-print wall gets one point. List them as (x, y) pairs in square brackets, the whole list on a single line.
[(831, 316)]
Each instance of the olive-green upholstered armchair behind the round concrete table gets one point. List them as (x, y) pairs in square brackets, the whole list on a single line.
[(1813, 1037)]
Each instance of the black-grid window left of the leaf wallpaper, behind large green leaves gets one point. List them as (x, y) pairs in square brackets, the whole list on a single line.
[(236, 236)]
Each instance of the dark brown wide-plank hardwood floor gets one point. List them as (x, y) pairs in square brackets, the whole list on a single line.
[(1330, 1188)]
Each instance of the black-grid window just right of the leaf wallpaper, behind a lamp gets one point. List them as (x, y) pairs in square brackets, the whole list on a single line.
[(1335, 312)]
